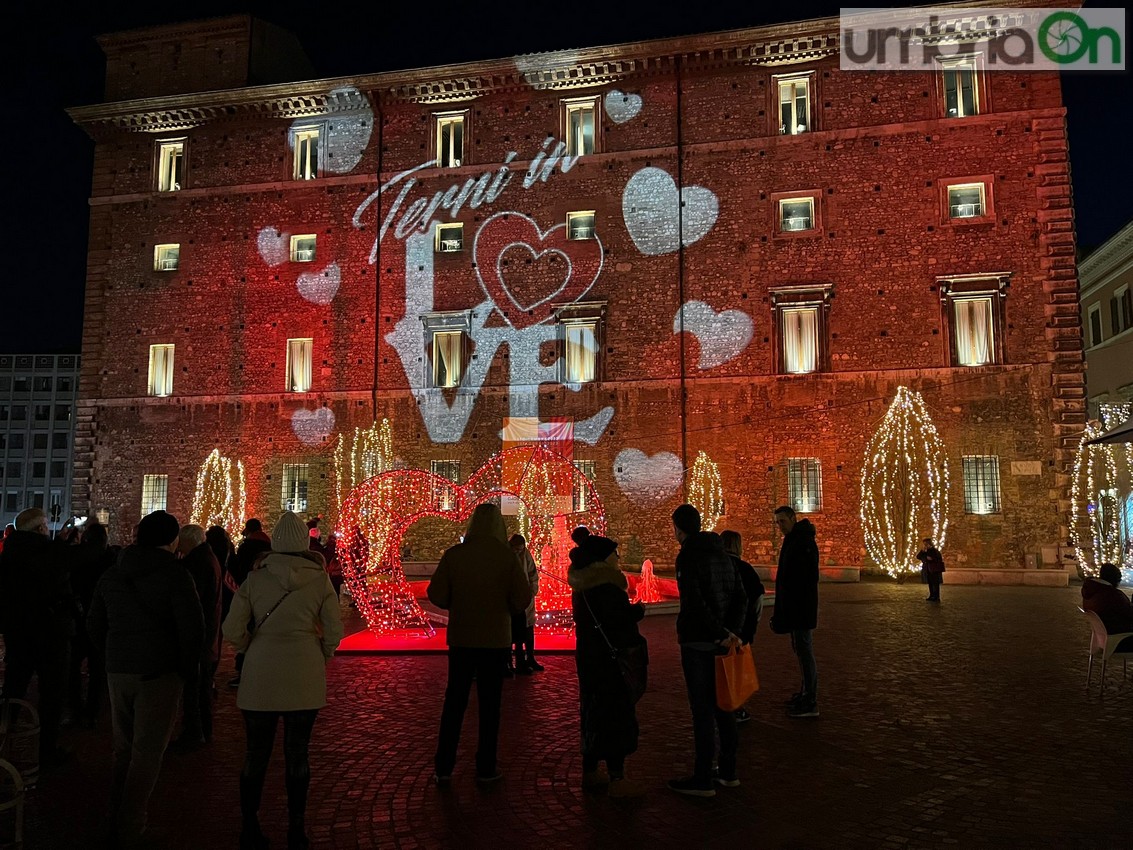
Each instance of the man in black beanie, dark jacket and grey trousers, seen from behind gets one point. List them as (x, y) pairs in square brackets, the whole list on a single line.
[(147, 618)]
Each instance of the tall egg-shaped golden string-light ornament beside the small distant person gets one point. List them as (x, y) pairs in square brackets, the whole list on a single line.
[(905, 486)]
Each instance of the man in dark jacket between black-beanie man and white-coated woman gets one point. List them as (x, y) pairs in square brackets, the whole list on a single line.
[(205, 569)]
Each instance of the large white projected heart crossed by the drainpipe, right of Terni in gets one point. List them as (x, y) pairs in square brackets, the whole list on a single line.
[(652, 214)]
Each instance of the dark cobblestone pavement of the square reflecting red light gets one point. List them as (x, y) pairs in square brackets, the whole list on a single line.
[(965, 725)]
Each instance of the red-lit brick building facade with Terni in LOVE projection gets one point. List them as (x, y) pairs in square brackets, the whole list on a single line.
[(845, 234)]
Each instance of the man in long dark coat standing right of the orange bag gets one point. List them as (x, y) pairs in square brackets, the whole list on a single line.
[(797, 603)]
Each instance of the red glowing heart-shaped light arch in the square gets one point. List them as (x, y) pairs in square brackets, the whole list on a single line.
[(377, 515)]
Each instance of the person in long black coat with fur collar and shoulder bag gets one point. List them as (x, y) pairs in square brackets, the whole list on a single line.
[(607, 707)]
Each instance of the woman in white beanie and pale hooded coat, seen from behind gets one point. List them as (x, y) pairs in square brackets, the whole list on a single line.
[(286, 619)]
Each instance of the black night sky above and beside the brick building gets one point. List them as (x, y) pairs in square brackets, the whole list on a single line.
[(53, 62)]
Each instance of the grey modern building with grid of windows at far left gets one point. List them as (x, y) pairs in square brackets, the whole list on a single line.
[(39, 396)]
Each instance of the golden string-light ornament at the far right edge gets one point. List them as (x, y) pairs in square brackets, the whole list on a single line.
[(1102, 494)]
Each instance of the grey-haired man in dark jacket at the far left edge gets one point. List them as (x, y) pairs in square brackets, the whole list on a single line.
[(38, 613)]
